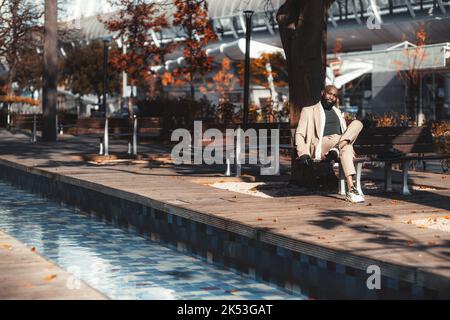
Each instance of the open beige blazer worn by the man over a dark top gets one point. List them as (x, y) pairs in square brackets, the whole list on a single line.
[(309, 133)]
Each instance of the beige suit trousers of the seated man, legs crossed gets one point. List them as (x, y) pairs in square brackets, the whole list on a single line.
[(345, 143)]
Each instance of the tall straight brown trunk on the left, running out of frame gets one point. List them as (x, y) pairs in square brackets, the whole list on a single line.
[(50, 93)]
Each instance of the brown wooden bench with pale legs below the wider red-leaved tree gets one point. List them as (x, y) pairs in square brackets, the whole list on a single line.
[(120, 128)]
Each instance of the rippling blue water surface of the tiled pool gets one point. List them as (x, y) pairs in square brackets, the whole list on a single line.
[(120, 264)]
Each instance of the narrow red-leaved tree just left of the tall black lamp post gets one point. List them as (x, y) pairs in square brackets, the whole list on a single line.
[(192, 17)]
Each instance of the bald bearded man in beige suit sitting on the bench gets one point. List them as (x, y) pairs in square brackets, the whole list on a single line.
[(322, 134)]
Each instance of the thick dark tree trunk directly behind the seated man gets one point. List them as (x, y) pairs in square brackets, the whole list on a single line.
[(303, 31)]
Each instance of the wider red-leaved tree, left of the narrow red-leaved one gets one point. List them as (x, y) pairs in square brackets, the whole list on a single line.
[(133, 23)]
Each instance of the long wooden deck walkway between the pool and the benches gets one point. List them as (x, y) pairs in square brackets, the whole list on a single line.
[(379, 230)]
